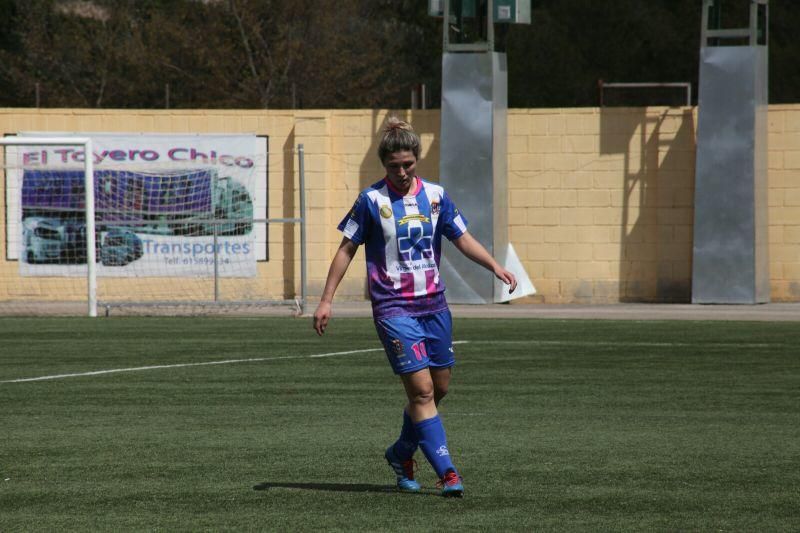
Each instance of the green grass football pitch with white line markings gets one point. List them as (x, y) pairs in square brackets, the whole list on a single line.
[(555, 425)]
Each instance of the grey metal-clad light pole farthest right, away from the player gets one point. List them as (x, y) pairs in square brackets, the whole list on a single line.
[(730, 251)]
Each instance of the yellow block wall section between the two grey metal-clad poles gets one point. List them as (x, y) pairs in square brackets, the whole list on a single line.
[(601, 205)]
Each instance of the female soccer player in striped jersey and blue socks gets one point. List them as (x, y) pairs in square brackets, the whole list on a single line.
[(401, 220)]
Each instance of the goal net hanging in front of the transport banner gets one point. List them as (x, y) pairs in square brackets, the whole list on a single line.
[(181, 225)]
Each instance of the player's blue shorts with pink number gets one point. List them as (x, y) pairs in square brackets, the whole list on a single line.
[(416, 342)]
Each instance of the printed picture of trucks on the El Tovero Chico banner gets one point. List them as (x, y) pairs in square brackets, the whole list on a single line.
[(189, 203)]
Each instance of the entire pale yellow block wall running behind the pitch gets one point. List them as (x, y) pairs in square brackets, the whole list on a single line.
[(600, 200)]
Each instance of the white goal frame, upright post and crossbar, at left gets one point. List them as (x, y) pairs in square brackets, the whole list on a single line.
[(88, 183)]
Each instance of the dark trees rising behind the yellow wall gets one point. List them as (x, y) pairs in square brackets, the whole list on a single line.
[(344, 54)]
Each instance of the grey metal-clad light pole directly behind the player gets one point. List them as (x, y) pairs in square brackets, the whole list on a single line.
[(473, 152)]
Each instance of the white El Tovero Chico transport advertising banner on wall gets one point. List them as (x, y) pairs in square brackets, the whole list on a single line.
[(165, 205)]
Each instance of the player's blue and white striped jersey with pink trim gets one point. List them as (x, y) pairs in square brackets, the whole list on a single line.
[(403, 244)]
